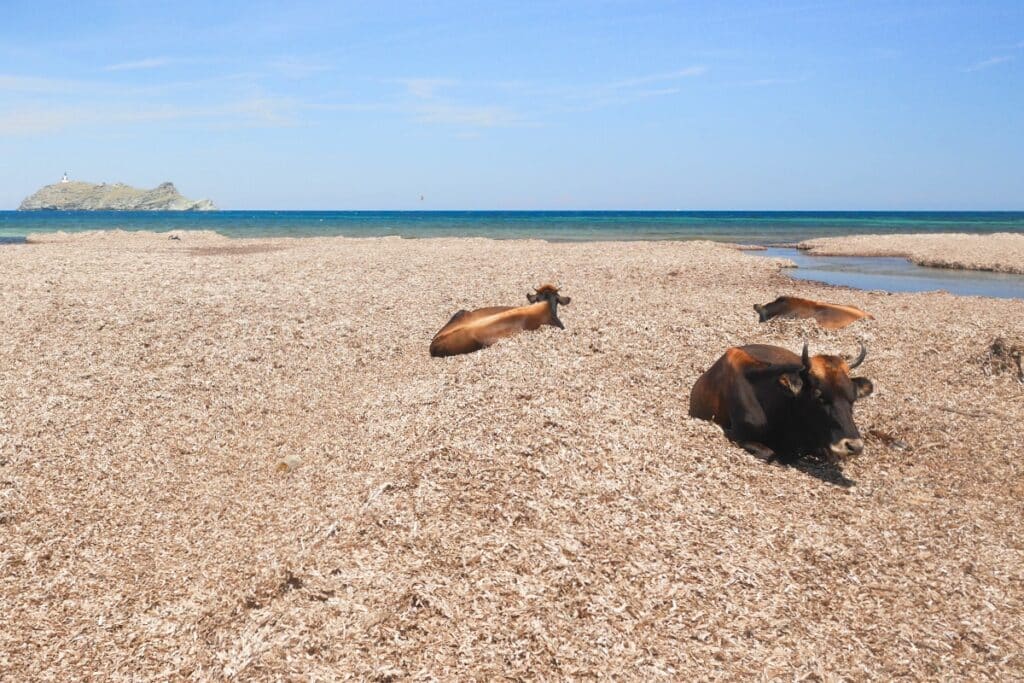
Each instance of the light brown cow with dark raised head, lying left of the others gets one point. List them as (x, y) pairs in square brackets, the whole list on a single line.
[(472, 331)]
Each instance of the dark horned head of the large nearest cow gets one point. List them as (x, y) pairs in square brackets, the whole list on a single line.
[(828, 397)]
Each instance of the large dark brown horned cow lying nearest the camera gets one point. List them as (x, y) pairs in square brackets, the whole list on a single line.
[(779, 405)]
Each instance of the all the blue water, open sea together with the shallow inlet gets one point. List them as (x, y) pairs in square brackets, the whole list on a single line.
[(778, 230)]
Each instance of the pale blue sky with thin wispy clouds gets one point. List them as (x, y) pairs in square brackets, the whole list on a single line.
[(592, 105)]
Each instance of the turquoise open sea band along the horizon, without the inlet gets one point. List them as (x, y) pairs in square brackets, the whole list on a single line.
[(762, 228)]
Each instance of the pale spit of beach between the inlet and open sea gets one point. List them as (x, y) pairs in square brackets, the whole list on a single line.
[(1003, 252)]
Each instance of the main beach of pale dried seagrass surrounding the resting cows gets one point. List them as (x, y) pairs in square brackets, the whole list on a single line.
[(236, 458)]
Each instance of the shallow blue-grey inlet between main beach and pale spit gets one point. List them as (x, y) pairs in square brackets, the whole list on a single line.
[(891, 274)]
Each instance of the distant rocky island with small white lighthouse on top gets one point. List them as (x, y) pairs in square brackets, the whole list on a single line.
[(76, 196)]
